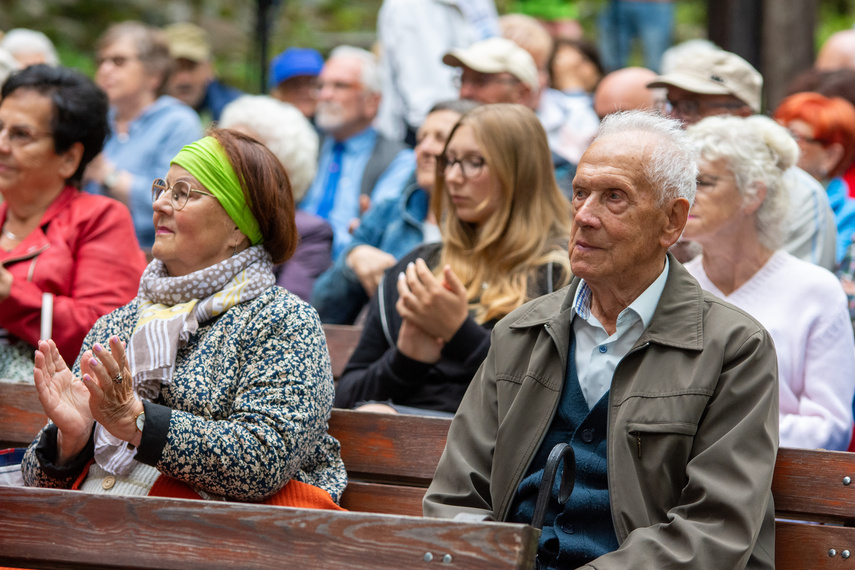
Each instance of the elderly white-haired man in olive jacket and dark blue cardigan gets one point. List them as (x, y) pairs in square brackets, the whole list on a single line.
[(668, 395)]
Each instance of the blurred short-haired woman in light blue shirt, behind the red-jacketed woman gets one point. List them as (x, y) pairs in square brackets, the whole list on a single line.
[(147, 127)]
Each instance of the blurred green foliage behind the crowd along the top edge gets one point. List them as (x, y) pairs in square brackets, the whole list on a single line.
[(75, 25)]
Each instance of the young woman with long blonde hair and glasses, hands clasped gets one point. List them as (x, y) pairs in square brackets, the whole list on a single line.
[(505, 228)]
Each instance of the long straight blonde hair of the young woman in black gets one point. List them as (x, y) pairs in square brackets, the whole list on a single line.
[(499, 261)]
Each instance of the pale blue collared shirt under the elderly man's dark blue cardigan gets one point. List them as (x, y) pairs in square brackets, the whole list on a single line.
[(597, 353)]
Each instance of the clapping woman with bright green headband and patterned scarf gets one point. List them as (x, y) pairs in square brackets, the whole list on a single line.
[(213, 382)]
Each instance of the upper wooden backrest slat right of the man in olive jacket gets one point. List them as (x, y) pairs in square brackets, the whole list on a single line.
[(810, 482)]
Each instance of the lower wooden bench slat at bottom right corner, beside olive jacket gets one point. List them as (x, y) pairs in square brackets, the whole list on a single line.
[(805, 546)]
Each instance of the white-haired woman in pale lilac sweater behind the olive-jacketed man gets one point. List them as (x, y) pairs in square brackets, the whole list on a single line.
[(736, 218)]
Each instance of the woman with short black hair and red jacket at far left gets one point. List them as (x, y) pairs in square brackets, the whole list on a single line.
[(78, 249)]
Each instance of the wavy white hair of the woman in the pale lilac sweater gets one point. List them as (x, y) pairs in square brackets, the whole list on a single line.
[(757, 151)]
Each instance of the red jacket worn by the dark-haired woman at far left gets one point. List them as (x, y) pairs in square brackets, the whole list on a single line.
[(85, 252)]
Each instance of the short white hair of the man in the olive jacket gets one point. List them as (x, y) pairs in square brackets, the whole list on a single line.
[(673, 166)]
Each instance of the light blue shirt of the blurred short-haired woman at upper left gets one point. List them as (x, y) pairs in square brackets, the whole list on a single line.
[(153, 139)]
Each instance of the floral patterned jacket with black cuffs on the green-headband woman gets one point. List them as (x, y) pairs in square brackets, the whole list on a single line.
[(246, 412)]
